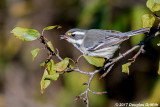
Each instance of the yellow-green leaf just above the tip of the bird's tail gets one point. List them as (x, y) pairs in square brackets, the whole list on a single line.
[(148, 20)]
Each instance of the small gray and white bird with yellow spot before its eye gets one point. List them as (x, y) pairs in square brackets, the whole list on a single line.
[(99, 42)]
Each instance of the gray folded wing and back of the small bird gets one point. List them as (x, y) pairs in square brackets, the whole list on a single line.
[(104, 37)]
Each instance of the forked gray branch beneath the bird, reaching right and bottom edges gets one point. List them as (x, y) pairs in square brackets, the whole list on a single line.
[(110, 65)]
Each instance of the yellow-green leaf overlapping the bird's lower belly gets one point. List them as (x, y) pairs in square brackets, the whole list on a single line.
[(98, 62)]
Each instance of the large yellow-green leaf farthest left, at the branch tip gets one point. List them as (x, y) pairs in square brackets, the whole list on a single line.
[(25, 34)]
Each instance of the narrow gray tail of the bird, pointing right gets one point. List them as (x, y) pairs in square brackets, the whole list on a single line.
[(135, 32)]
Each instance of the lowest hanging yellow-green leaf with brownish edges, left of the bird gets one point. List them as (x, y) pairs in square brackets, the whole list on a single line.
[(44, 83)]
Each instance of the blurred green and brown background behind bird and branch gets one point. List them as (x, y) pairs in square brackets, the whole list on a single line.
[(20, 76)]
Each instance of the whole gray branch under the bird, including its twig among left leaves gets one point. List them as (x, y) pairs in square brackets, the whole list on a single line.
[(84, 95)]
